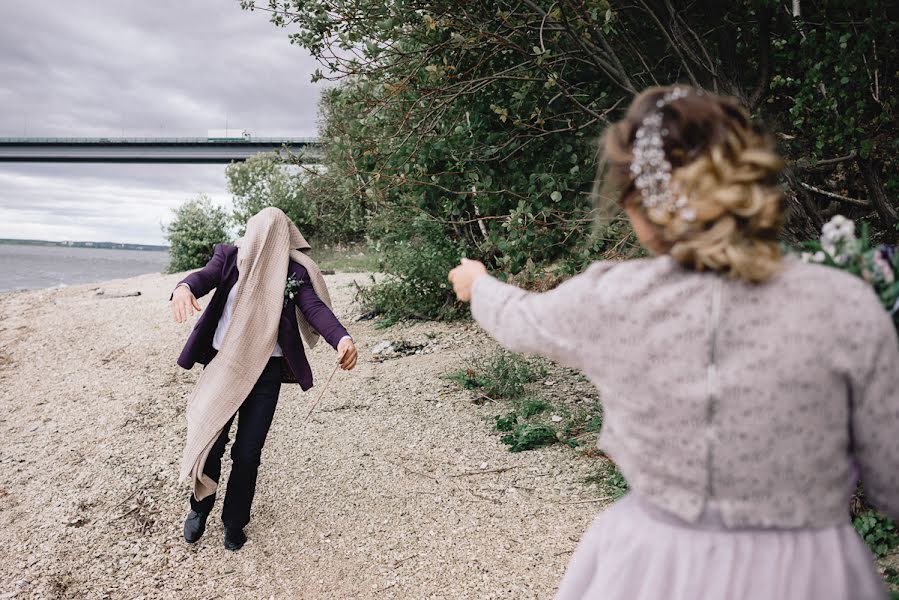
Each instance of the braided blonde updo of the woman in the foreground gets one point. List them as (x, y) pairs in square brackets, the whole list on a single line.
[(724, 164)]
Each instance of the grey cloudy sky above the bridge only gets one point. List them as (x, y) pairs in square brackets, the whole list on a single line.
[(184, 66)]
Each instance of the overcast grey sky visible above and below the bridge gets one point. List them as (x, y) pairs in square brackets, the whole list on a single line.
[(159, 68)]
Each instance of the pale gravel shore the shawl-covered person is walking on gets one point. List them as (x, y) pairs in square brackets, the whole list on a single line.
[(395, 488)]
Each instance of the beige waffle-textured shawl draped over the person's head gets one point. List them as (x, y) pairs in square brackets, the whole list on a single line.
[(263, 256)]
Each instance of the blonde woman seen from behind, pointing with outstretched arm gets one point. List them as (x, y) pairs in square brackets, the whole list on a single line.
[(743, 391)]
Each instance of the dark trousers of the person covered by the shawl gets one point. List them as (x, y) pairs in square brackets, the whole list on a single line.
[(254, 420)]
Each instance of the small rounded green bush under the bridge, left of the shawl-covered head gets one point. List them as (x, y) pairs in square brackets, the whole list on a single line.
[(192, 235)]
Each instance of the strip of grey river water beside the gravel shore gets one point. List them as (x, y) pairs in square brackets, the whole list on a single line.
[(24, 267)]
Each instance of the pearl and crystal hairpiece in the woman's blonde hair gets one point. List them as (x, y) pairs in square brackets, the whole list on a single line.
[(652, 171)]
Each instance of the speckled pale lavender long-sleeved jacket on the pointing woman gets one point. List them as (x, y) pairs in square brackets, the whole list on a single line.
[(759, 400)]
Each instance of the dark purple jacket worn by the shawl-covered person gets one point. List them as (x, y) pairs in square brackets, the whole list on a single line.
[(221, 274)]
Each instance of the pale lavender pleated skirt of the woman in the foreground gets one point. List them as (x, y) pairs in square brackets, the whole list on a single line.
[(635, 551)]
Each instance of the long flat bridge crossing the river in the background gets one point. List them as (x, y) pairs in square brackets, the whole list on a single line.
[(152, 150)]
